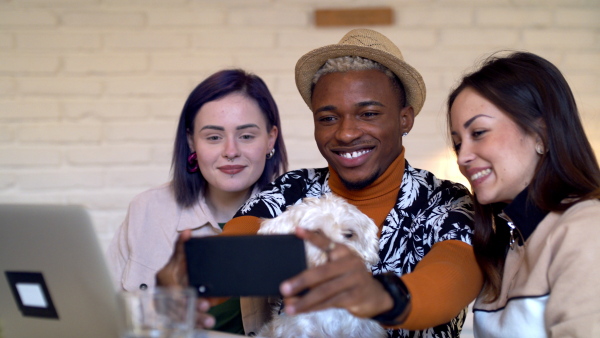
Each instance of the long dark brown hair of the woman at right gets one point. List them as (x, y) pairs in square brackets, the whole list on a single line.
[(535, 95)]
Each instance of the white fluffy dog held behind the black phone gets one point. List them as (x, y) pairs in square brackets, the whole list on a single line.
[(342, 223)]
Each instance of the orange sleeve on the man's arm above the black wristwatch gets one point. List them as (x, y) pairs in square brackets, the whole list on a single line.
[(444, 282)]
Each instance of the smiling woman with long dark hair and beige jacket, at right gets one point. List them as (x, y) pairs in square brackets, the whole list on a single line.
[(520, 143)]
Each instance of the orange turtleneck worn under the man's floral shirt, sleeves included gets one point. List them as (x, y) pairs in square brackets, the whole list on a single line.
[(445, 281)]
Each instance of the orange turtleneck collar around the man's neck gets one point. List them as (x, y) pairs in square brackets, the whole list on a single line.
[(388, 182)]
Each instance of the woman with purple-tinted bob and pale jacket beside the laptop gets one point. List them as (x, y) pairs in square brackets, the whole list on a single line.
[(228, 145)]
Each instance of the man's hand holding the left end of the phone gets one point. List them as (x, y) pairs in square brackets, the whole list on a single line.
[(174, 274)]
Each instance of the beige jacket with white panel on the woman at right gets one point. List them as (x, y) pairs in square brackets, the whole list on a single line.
[(551, 284)]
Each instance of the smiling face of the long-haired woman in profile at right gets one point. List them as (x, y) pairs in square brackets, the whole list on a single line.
[(496, 155)]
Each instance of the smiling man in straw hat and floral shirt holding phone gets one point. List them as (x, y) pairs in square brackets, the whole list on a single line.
[(364, 99)]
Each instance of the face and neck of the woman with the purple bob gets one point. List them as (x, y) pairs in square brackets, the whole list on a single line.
[(233, 137)]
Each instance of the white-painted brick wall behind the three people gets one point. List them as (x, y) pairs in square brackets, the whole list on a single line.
[(90, 90)]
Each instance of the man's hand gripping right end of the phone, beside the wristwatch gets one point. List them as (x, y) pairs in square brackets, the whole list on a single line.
[(343, 282)]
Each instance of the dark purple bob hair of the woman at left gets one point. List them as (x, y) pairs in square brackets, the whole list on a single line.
[(188, 186)]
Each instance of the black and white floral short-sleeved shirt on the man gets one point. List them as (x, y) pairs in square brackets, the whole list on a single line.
[(428, 210)]
